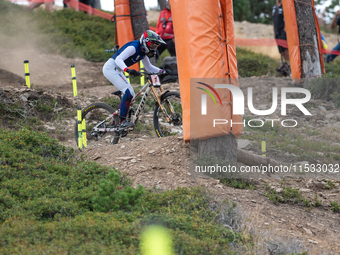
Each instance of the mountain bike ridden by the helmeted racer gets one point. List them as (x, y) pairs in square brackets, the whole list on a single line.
[(102, 120)]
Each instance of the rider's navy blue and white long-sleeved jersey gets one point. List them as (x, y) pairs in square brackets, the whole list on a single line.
[(131, 53)]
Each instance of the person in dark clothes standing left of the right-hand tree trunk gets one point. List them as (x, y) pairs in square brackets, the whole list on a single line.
[(280, 33)]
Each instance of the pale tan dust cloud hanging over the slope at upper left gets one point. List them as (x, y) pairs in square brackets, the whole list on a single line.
[(21, 40)]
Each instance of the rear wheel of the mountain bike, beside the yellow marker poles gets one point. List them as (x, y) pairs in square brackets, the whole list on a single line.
[(100, 115)]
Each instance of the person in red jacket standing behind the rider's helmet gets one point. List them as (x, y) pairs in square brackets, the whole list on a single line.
[(166, 31)]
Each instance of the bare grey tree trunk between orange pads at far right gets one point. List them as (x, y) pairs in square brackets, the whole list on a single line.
[(310, 59)]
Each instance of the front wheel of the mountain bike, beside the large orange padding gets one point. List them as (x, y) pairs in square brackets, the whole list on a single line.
[(169, 122)]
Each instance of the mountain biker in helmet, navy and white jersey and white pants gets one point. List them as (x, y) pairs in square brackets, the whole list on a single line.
[(131, 53)]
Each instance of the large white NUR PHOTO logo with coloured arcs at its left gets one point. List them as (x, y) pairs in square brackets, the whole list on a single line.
[(238, 104)]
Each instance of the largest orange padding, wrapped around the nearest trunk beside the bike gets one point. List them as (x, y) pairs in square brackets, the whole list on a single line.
[(206, 52)]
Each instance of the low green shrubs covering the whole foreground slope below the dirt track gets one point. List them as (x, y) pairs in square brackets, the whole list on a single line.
[(50, 199)]
